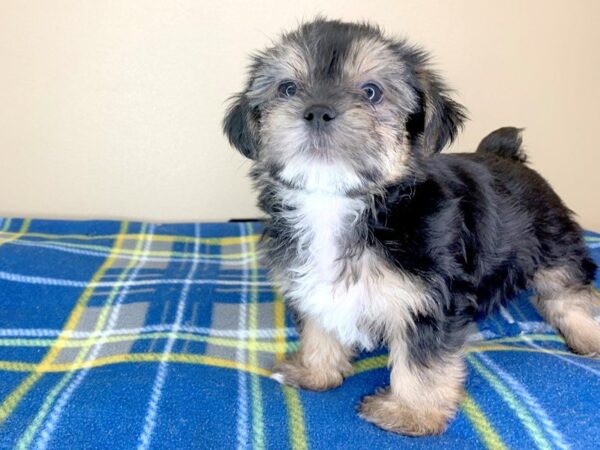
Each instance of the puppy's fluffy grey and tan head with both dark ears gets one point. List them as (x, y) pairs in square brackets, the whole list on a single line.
[(338, 107)]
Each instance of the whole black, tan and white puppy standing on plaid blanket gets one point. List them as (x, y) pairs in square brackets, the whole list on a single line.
[(374, 237)]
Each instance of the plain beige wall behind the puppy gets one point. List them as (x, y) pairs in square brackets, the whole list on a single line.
[(113, 108)]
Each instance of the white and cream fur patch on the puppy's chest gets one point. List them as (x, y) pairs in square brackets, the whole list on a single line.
[(361, 305)]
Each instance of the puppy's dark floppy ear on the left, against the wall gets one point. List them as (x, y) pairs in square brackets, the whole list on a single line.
[(239, 126)]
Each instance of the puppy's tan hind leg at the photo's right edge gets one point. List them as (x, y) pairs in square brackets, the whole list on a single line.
[(569, 305)]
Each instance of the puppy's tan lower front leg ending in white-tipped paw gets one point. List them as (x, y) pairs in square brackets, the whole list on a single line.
[(321, 363)]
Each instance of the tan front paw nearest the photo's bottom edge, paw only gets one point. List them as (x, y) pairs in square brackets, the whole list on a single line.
[(389, 413)]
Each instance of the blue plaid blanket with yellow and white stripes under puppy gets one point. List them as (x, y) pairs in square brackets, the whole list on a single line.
[(128, 334)]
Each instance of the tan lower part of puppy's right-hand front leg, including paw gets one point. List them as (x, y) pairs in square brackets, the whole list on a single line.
[(422, 397)]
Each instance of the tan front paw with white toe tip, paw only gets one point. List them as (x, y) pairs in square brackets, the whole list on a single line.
[(293, 373)]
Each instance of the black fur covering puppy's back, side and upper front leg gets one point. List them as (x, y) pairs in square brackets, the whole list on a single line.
[(476, 227)]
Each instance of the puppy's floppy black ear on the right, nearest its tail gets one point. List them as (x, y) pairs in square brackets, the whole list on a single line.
[(436, 118)]
